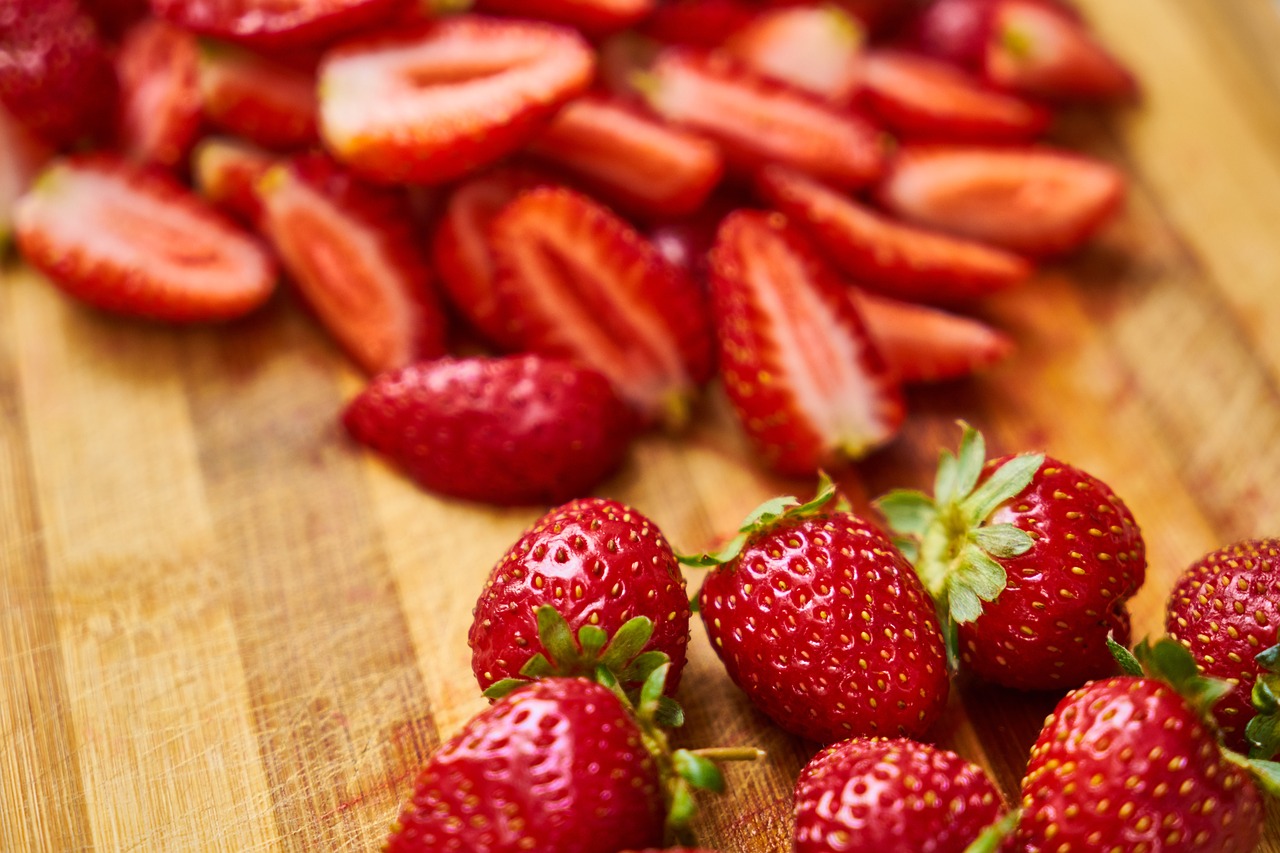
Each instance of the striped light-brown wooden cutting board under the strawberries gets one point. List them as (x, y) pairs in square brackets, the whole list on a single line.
[(225, 628)]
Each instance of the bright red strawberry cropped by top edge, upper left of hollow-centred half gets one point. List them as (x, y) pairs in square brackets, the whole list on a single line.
[(277, 25)]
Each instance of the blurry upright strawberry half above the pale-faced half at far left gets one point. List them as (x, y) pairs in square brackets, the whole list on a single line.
[(159, 97)]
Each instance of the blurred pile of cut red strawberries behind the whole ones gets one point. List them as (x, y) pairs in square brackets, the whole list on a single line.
[(627, 198)]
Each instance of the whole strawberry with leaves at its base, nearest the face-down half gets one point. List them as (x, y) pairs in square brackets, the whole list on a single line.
[(595, 571)]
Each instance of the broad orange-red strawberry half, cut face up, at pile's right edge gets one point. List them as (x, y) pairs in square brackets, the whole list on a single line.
[(1037, 202)]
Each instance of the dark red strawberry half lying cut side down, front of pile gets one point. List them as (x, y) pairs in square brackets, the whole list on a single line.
[(502, 431)]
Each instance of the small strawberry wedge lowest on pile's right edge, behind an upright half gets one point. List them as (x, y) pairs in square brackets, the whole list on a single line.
[(927, 345)]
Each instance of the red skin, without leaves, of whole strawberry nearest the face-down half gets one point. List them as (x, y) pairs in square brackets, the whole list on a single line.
[(598, 563)]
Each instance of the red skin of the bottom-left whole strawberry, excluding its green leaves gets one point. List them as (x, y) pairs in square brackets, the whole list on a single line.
[(555, 767)]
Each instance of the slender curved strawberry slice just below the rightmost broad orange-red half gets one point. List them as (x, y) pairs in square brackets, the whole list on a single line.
[(895, 259)]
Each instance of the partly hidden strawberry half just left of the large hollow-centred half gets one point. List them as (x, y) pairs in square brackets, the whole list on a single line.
[(266, 102)]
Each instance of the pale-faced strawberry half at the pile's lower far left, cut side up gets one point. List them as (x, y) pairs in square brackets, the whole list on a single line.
[(138, 243)]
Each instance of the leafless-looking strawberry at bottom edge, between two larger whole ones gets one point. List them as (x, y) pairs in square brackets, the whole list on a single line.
[(880, 795)]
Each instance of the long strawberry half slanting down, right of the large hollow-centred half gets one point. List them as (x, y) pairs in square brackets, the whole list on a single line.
[(758, 121)]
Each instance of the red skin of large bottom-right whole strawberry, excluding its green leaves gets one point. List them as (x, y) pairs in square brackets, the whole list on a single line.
[(1128, 760)]
